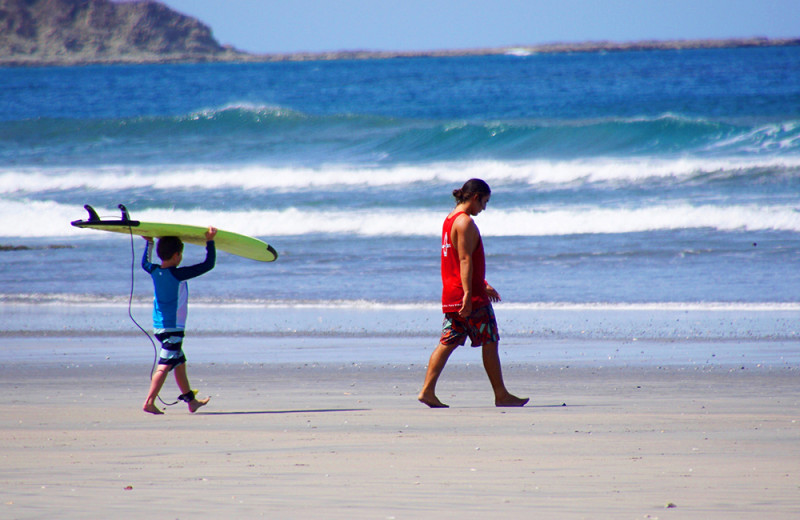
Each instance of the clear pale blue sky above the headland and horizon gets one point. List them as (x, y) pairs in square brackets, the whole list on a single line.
[(285, 26)]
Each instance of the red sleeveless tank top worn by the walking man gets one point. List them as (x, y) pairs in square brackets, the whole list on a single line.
[(452, 292)]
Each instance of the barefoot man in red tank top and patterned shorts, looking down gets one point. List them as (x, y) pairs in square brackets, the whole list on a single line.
[(466, 297)]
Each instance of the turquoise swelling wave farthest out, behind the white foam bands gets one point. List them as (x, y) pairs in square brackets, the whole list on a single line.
[(278, 133)]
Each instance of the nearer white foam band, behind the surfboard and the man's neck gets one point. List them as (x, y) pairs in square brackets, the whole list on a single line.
[(20, 218)]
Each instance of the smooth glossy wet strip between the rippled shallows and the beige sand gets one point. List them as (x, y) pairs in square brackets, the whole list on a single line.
[(113, 350)]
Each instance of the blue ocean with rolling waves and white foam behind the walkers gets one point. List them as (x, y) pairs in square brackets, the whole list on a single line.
[(646, 181)]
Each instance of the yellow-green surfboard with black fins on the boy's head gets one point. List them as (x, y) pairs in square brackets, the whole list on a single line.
[(234, 243)]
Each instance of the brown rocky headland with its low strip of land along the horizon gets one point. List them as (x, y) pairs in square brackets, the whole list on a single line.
[(38, 33)]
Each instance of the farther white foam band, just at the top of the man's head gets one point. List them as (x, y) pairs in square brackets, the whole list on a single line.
[(253, 176)]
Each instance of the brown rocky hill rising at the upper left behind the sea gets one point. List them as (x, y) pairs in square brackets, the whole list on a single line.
[(78, 32)]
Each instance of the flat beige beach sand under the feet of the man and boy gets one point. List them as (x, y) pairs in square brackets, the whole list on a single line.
[(345, 440)]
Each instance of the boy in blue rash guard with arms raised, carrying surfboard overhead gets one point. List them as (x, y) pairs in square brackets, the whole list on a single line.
[(169, 313)]
